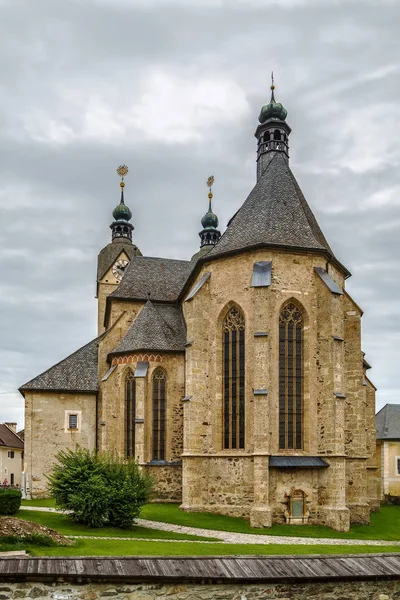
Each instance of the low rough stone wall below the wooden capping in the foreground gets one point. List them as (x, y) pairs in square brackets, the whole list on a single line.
[(358, 590)]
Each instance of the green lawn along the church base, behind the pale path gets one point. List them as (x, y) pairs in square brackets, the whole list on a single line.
[(385, 525)]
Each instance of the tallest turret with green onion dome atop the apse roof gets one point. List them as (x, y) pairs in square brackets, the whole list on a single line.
[(272, 133)]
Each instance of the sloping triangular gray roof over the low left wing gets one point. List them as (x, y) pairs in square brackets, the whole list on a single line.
[(76, 373)]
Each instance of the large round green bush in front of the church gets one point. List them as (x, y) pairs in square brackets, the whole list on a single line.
[(99, 488)]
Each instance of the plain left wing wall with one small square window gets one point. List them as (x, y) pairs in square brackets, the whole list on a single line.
[(46, 432)]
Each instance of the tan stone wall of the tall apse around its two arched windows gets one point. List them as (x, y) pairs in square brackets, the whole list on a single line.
[(338, 413)]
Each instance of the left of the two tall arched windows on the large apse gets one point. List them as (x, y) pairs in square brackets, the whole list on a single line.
[(233, 379)]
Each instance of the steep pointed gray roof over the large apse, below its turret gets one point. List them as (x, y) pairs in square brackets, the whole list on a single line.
[(275, 213)]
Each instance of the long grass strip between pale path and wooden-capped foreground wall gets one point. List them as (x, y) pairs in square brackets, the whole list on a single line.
[(138, 548)]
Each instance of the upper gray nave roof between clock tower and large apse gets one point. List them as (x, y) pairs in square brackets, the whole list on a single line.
[(160, 279)]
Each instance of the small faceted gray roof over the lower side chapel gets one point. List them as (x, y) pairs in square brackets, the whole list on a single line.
[(157, 327)]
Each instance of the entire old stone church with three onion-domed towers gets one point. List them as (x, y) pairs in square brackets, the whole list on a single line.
[(236, 378)]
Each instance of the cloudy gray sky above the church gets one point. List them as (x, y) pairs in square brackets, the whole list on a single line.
[(173, 88)]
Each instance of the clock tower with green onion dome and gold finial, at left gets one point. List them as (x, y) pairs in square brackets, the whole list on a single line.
[(115, 257)]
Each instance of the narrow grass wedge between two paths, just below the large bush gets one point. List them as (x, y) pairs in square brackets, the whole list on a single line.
[(66, 526)]
